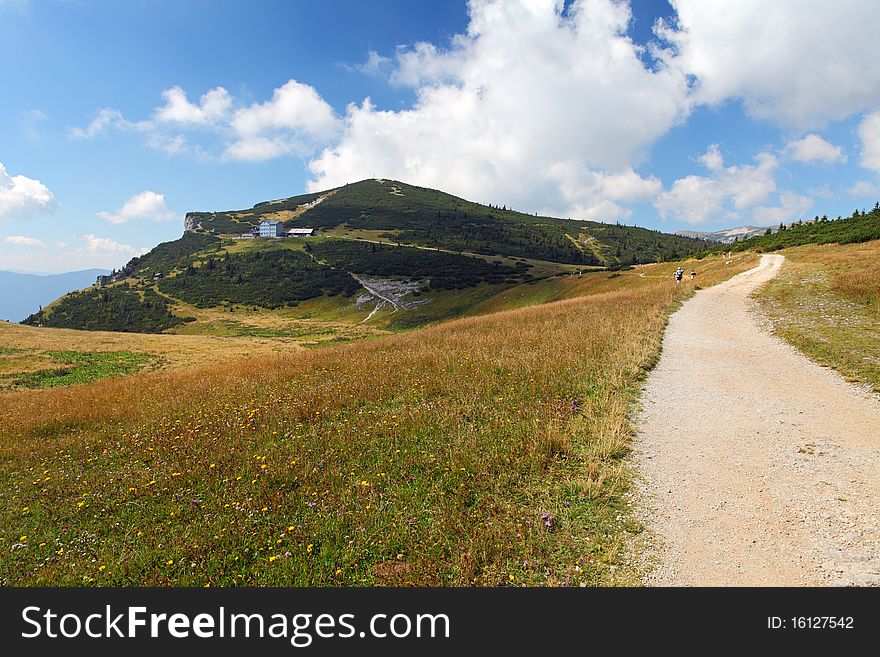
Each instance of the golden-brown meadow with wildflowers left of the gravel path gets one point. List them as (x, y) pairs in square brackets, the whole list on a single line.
[(427, 458)]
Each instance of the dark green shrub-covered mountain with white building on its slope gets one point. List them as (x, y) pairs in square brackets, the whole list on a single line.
[(420, 255)]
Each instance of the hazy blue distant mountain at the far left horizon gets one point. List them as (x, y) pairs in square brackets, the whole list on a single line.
[(22, 293)]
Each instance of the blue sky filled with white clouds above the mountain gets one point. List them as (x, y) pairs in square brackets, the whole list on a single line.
[(117, 118)]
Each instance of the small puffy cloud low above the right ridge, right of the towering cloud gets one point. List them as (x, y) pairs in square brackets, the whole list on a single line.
[(722, 194)]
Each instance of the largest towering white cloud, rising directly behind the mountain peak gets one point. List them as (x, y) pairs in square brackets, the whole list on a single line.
[(531, 104)]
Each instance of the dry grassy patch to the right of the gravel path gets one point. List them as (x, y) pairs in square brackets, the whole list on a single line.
[(826, 302)]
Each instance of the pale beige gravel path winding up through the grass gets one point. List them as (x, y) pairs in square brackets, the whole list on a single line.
[(759, 467)]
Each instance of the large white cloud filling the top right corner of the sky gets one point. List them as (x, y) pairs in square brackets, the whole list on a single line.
[(800, 62)]
